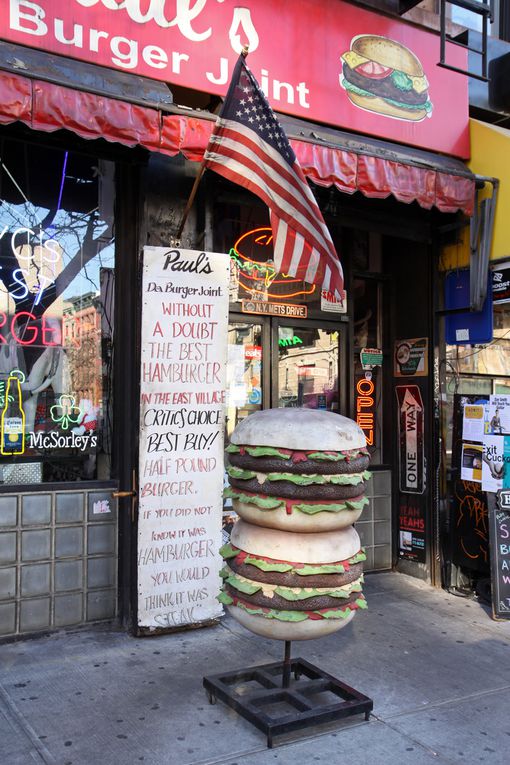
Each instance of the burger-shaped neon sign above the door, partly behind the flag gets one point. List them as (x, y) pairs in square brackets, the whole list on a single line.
[(259, 277)]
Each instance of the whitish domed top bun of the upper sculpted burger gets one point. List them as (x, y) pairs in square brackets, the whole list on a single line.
[(299, 429)]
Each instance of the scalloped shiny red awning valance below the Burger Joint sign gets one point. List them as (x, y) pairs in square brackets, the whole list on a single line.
[(49, 107)]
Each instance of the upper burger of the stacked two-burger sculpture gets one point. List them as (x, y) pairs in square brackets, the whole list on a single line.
[(298, 470)]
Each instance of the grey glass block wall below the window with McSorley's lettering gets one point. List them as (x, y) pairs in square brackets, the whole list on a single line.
[(58, 560)]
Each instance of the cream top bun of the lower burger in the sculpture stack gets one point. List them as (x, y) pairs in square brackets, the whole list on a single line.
[(295, 546)]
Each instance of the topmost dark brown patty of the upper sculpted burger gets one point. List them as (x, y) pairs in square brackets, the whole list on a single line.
[(306, 467)]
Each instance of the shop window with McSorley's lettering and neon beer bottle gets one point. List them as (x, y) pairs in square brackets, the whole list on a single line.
[(56, 289)]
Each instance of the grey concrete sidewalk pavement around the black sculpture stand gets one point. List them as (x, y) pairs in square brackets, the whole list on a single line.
[(436, 666)]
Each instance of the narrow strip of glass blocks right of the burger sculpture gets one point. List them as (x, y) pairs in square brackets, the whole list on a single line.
[(374, 526)]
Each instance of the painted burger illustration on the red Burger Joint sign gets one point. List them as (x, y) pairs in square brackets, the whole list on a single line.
[(383, 76)]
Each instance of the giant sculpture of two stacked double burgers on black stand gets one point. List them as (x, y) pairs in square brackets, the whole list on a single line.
[(293, 566)]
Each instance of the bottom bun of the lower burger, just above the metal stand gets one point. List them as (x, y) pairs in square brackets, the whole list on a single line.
[(272, 628)]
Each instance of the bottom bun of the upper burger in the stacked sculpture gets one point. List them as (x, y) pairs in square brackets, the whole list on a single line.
[(296, 521)]
